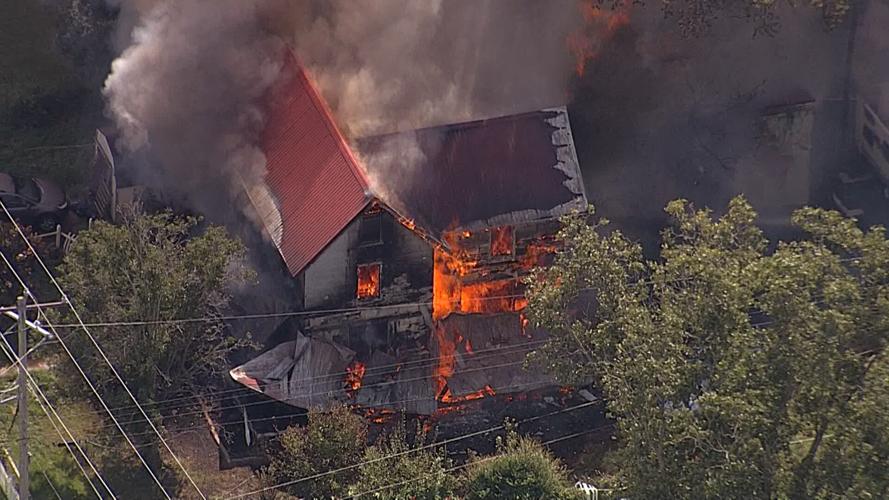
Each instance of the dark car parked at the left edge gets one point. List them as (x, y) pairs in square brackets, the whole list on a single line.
[(34, 201)]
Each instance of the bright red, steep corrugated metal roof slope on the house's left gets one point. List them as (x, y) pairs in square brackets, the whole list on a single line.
[(317, 185)]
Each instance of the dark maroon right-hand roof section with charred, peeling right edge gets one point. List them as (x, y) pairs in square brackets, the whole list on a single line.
[(484, 173)]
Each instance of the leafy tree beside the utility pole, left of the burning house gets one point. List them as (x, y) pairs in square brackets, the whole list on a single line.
[(152, 268)]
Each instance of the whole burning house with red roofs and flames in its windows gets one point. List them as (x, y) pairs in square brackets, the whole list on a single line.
[(408, 252)]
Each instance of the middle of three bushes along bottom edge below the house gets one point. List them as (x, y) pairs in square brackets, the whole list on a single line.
[(424, 472)]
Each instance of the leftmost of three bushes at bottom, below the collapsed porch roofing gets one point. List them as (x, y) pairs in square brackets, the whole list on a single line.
[(331, 440)]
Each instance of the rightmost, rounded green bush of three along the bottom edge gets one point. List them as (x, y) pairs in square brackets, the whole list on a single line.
[(521, 469)]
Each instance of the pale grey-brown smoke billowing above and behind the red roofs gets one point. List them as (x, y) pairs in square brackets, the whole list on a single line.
[(185, 89)]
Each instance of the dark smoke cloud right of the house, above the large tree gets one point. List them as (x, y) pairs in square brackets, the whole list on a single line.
[(658, 116)]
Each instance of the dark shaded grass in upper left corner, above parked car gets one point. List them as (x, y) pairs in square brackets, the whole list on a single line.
[(45, 108)]
